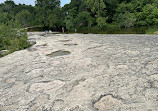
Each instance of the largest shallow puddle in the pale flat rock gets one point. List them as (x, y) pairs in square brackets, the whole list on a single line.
[(58, 53)]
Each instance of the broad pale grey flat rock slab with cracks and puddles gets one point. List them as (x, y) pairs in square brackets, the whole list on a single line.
[(77, 72)]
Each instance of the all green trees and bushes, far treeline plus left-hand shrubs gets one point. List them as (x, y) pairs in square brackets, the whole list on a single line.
[(84, 15)]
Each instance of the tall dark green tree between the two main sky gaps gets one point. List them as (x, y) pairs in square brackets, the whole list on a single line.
[(47, 12)]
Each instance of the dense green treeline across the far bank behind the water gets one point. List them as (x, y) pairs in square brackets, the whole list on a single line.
[(81, 13)]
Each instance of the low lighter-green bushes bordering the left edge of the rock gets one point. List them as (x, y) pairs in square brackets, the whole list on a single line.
[(12, 39)]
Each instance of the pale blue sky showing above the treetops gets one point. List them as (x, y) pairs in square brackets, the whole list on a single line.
[(32, 2)]
